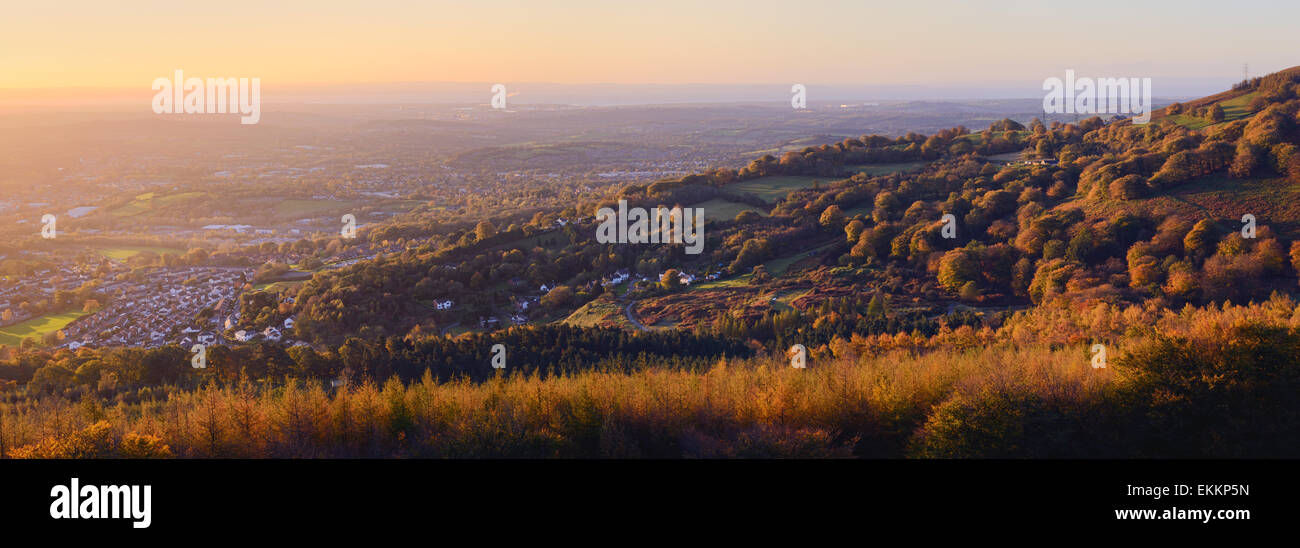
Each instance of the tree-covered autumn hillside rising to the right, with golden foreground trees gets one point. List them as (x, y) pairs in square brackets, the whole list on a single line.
[(869, 253)]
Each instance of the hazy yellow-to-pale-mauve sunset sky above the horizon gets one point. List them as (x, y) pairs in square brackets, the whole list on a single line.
[(94, 44)]
